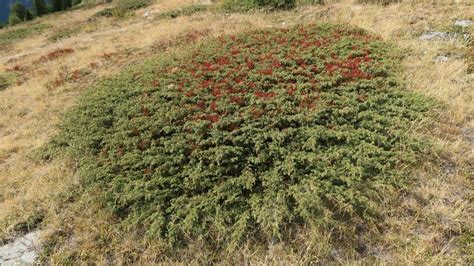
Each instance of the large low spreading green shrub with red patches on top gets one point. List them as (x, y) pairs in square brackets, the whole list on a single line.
[(246, 137)]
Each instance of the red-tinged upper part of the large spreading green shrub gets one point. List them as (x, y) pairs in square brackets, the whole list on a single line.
[(266, 67)]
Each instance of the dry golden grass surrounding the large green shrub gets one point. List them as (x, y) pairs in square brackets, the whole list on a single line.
[(432, 224)]
